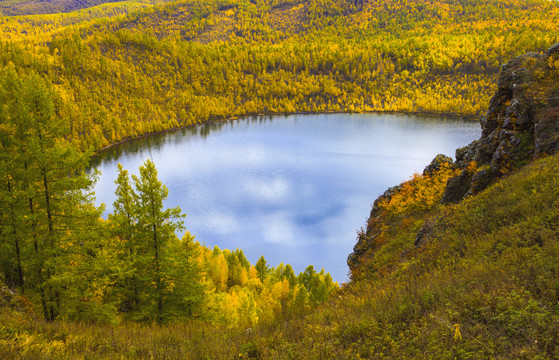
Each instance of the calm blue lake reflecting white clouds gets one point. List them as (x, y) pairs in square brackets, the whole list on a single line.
[(292, 188)]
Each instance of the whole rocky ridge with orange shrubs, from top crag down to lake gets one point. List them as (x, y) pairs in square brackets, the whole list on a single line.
[(521, 125)]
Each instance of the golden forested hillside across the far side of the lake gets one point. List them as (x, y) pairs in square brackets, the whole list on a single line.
[(125, 69)]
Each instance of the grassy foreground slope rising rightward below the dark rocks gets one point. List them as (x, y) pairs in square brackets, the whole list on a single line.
[(490, 266)]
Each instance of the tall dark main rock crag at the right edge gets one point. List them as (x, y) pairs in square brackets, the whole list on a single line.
[(522, 123)]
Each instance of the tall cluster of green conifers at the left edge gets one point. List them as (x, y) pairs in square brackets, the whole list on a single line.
[(50, 219)]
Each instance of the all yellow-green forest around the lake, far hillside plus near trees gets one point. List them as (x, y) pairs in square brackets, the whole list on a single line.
[(73, 83)]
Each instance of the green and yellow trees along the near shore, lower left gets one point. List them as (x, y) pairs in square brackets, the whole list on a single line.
[(70, 264)]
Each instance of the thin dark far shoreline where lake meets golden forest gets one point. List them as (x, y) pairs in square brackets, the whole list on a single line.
[(218, 120)]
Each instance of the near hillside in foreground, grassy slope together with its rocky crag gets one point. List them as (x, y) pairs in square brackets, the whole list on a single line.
[(430, 279)]
